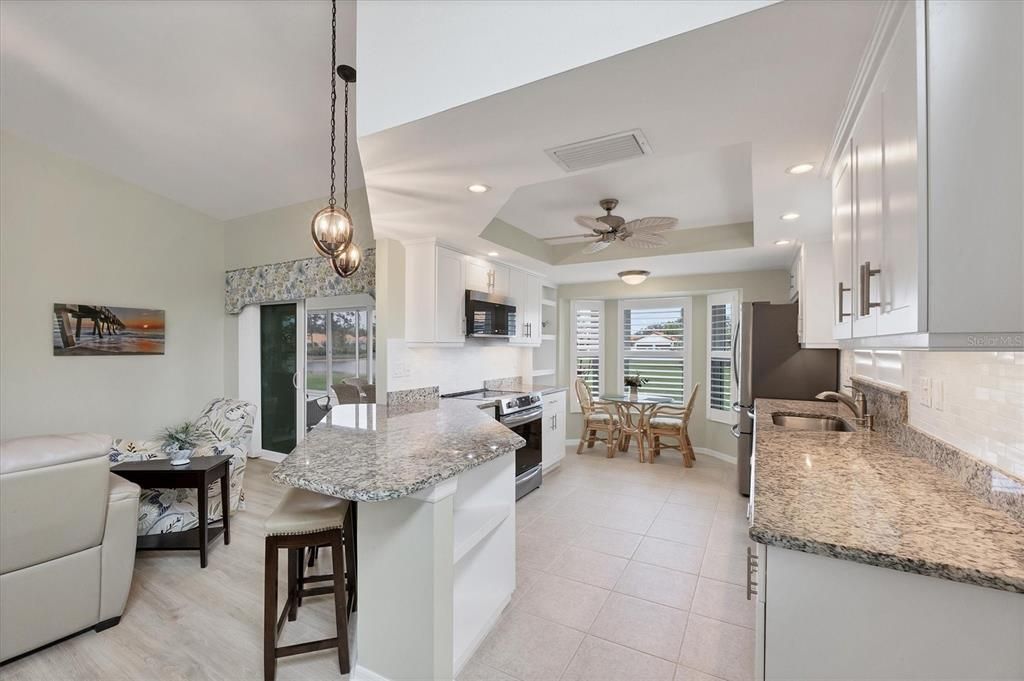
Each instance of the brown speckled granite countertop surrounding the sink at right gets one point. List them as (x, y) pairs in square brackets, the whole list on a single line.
[(859, 496)]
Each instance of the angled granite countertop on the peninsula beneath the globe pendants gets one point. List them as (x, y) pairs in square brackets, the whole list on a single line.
[(372, 453)]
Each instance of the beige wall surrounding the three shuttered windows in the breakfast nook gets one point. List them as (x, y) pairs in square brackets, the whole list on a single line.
[(772, 286)]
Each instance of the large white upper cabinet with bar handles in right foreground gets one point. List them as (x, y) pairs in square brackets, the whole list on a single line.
[(928, 243)]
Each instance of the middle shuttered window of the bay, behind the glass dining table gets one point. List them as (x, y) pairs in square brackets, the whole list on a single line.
[(656, 337)]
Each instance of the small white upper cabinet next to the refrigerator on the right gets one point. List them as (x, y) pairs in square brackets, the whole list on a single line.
[(815, 295)]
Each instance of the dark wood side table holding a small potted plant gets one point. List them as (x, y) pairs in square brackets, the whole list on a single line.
[(198, 475)]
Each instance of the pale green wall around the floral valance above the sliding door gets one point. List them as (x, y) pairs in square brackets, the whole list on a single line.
[(278, 236)]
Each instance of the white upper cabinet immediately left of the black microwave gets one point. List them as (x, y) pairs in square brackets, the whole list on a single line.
[(436, 291)]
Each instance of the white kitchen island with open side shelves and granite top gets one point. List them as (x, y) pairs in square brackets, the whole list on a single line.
[(436, 527)]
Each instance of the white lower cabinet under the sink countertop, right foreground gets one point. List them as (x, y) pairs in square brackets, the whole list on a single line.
[(823, 618)]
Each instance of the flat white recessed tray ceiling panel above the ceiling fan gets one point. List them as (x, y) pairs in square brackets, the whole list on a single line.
[(701, 190)]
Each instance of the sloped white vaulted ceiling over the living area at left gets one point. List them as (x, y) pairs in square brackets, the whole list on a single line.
[(222, 106)]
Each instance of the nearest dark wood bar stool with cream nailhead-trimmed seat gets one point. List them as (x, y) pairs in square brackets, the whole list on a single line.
[(305, 521)]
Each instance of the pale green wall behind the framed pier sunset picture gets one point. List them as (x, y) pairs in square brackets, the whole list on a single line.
[(72, 234)]
